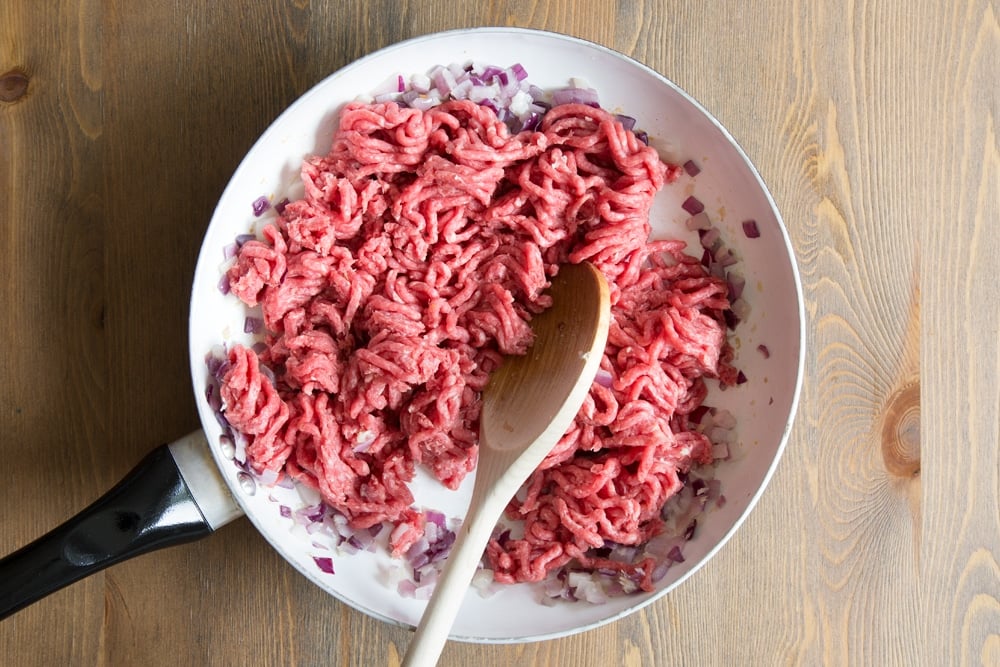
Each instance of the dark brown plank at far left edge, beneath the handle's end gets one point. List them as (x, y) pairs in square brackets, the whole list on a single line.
[(53, 367)]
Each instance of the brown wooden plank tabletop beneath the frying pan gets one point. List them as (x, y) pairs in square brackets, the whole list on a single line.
[(873, 122)]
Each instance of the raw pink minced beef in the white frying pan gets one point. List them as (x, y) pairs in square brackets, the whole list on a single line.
[(416, 259)]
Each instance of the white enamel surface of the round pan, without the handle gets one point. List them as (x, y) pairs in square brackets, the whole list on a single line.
[(732, 191)]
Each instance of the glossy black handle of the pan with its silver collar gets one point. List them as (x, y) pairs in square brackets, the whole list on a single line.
[(175, 495)]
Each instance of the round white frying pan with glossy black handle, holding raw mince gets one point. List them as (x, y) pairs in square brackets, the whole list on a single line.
[(186, 489)]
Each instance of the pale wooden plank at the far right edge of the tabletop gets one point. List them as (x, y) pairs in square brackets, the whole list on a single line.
[(960, 361)]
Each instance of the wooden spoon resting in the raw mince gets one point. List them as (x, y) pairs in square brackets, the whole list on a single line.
[(528, 404)]
